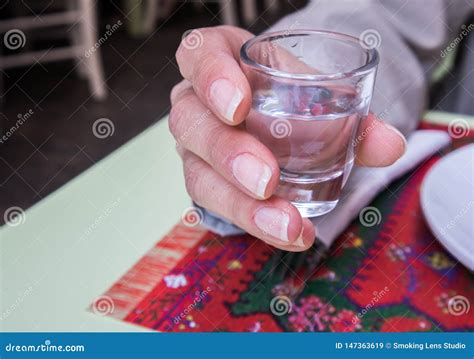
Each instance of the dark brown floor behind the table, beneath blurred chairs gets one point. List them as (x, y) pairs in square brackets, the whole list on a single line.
[(56, 142)]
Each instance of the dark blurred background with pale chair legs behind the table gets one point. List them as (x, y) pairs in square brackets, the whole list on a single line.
[(65, 65)]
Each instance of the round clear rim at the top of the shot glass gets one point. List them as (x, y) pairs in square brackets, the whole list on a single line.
[(373, 56)]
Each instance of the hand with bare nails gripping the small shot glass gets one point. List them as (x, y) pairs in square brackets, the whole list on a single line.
[(226, 169)]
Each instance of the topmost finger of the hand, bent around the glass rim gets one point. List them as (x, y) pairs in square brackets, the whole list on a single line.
[(209, 59)]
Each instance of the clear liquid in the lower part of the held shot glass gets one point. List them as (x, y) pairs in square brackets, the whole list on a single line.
[(310, 130)]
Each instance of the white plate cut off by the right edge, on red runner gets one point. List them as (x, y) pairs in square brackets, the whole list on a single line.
[(447, 201)]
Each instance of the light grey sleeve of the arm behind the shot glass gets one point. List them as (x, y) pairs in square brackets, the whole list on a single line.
[(411, 36)]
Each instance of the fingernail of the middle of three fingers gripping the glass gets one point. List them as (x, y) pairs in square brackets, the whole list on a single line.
[(252, 173)]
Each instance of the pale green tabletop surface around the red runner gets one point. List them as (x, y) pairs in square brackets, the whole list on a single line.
[(78, 241)]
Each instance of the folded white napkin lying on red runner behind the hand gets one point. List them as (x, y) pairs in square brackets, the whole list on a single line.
[(363, 186)]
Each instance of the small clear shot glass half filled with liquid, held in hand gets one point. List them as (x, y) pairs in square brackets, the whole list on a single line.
[(310, 91)]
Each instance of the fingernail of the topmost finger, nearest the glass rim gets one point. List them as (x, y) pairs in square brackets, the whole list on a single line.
[(226, 97)]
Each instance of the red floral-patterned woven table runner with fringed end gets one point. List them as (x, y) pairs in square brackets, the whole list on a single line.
[(391, 275)]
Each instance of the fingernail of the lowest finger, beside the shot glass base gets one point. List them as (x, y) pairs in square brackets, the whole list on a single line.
[(273, 221)]
